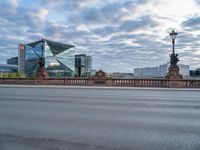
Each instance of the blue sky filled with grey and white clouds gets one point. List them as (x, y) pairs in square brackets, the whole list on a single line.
[(120, 35)]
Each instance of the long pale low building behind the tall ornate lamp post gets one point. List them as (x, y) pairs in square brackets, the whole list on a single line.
[(160, 71)]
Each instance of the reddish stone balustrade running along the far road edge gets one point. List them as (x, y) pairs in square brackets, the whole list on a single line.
[(104, 82)]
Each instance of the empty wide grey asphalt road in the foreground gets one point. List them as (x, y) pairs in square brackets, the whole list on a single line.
[(38, 118)]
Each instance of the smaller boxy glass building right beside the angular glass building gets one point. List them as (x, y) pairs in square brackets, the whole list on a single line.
[(83, 65)]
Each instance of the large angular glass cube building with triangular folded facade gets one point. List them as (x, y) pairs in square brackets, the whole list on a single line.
[(58, 58)]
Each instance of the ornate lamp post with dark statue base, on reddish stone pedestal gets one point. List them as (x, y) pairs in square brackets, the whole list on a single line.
[(173, 69)]
